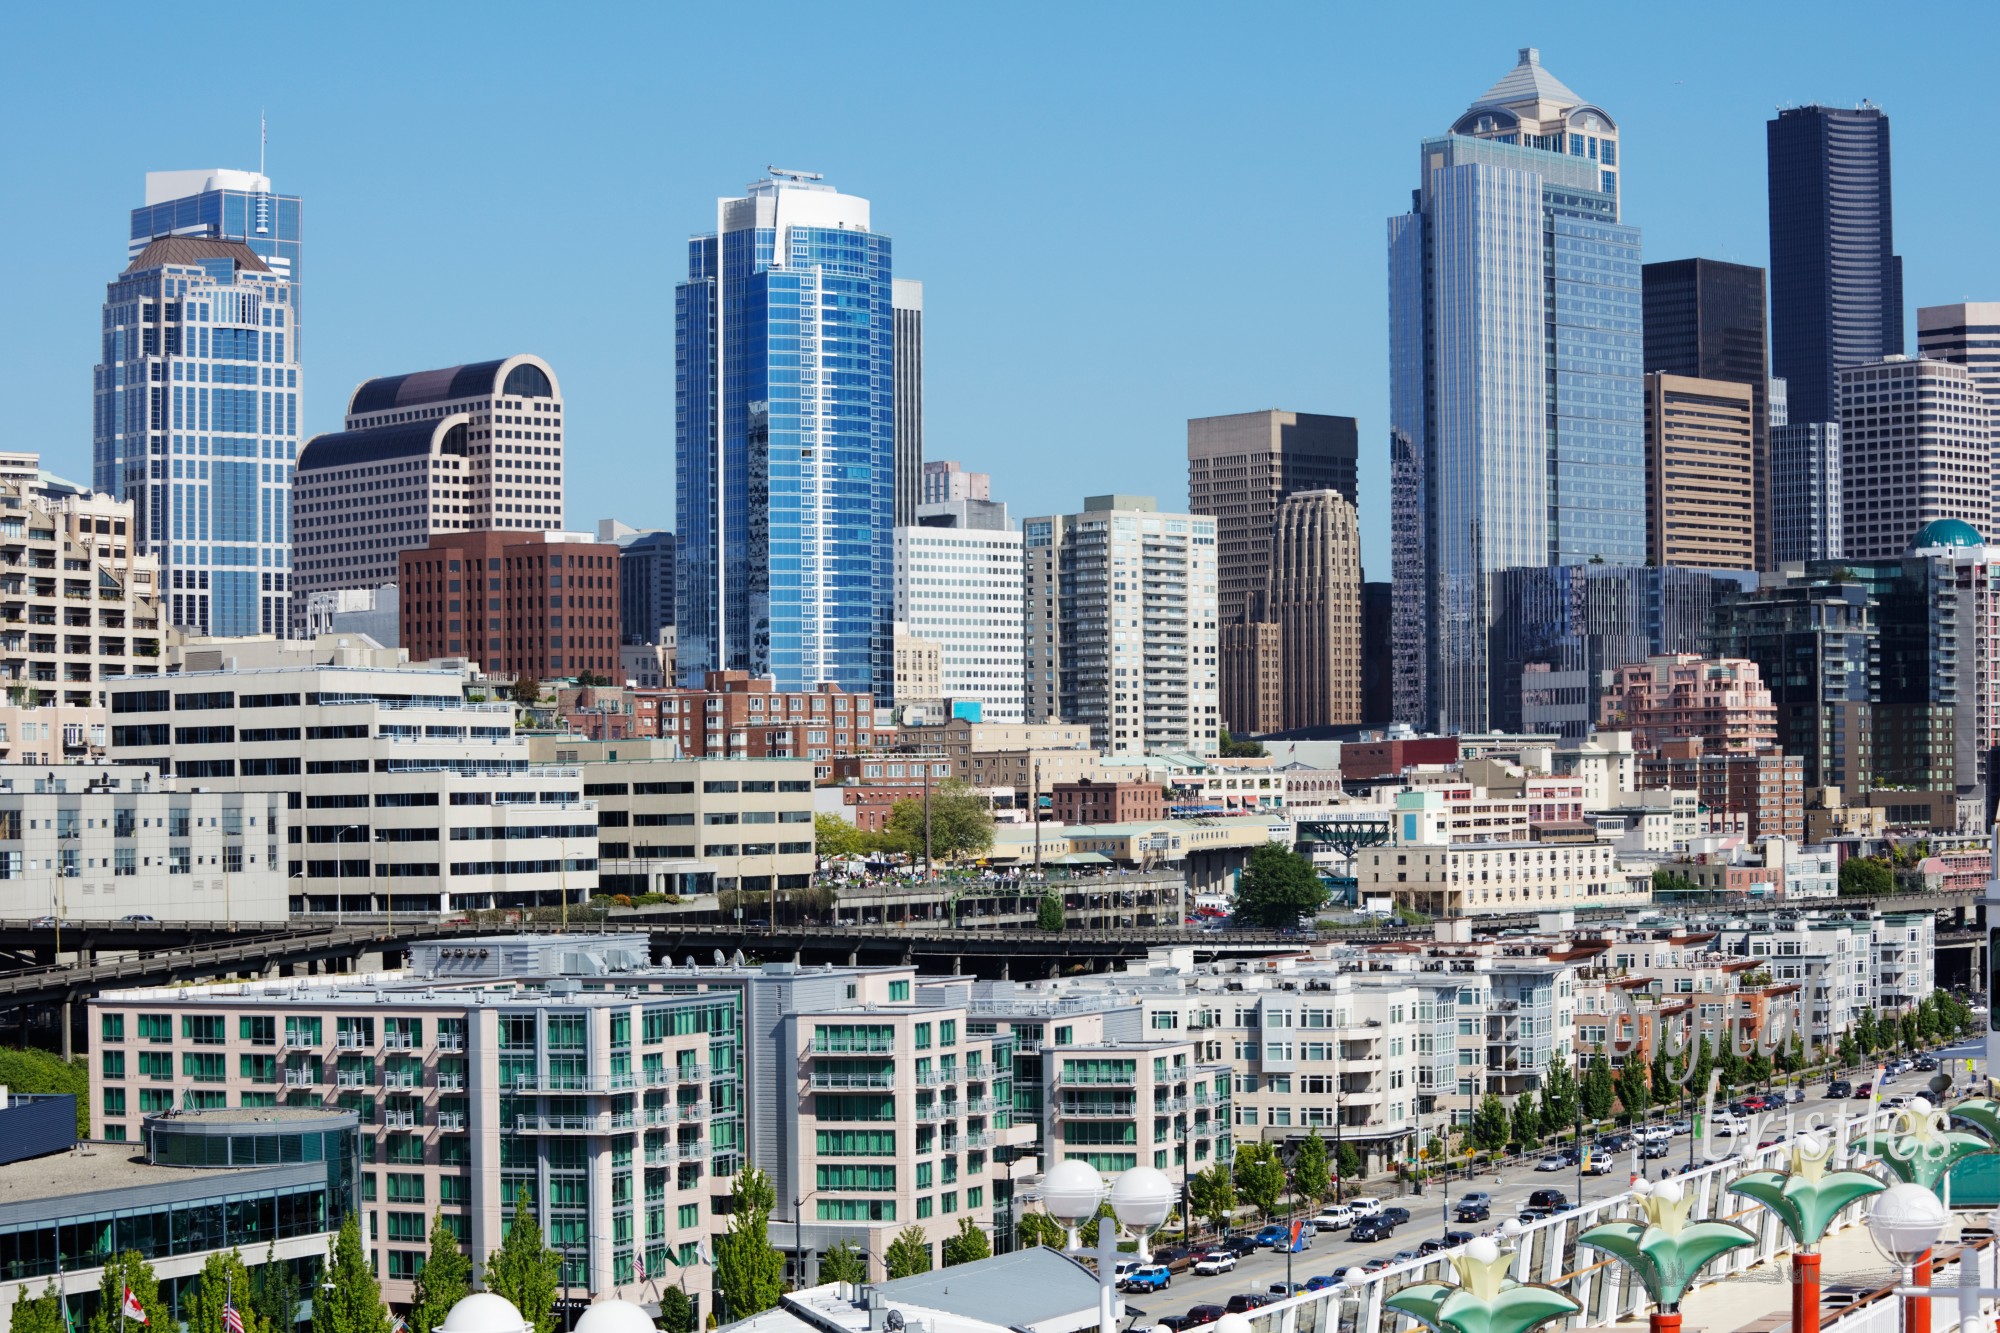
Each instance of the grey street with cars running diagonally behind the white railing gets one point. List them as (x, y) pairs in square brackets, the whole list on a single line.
[(1335, 1252)]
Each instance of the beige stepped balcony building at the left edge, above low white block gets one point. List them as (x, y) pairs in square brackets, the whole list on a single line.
[(79, 603)]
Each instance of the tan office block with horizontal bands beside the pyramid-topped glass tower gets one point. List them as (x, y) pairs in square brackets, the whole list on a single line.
[(1701, 473)]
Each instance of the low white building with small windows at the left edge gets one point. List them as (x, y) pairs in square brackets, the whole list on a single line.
[(97, 844)]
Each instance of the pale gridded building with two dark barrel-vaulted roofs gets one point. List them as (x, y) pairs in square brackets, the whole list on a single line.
[(437, 451)]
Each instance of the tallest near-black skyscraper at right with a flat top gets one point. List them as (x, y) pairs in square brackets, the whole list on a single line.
[(1835, 273)]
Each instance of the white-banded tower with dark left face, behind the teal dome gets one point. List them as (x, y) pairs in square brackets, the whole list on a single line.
[(1917, 445)]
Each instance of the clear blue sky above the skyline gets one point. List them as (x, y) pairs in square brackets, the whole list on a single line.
[(1125, 215)]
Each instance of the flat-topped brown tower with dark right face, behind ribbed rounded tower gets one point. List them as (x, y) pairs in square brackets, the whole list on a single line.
[(1239, 471)]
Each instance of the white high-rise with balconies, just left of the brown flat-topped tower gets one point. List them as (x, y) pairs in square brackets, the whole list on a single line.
[(1121, 611)]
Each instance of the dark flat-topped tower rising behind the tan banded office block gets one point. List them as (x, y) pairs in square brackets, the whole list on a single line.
[(1705, 321)]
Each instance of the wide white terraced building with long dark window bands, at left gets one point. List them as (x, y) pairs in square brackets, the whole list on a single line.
[(403, 794)]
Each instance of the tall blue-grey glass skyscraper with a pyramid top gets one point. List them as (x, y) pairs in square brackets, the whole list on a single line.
[(1515, 377)]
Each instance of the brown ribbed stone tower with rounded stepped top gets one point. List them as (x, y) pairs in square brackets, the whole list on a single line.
[(1315, 597)]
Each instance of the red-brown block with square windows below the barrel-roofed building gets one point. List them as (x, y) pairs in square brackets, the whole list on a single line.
[(519, 603)]
